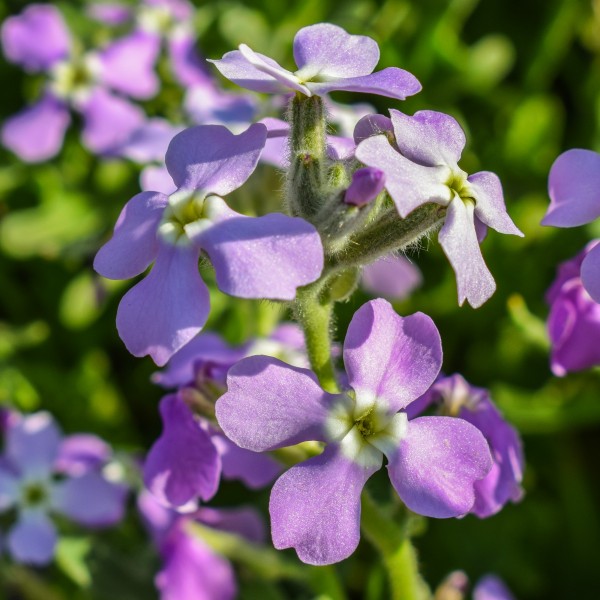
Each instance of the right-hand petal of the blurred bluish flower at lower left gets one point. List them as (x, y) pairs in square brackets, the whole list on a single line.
[(90, 500)]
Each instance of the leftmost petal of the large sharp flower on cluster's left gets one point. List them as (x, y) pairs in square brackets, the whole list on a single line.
[(134, 244)]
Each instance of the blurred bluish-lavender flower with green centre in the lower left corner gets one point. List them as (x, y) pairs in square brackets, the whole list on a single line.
[(34, 455)]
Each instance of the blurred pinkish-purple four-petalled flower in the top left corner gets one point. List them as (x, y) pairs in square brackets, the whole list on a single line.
[(92, 84)]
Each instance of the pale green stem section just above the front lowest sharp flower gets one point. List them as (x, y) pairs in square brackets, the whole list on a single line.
[(314, 312)]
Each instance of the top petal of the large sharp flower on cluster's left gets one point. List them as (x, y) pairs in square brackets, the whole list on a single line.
[(211, 158)]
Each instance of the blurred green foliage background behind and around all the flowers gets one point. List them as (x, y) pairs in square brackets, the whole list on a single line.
[(523, 78)]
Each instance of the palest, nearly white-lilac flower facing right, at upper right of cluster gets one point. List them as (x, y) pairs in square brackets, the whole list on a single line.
[(422, 167)]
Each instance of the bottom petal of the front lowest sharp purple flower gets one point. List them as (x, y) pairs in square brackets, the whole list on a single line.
[(315, 507)]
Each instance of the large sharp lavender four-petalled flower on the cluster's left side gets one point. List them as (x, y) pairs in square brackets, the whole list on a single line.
[(263, 257)]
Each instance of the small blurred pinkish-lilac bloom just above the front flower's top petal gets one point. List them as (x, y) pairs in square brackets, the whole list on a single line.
[(393, 277)]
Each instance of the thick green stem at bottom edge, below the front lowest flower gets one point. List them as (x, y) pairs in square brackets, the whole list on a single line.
[(393, 543)]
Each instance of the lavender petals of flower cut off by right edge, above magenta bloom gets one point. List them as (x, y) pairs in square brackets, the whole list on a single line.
[(574, 188)]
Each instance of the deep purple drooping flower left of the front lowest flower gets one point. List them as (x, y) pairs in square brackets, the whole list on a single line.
[(185, 464)]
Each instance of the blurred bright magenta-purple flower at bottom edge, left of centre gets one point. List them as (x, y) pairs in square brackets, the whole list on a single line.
[(190, 569)]
